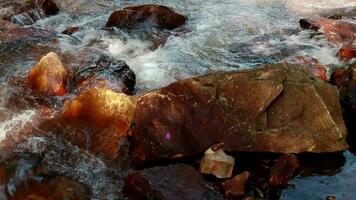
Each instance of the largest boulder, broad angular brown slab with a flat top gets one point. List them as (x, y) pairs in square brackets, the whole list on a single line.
[(275, 108)]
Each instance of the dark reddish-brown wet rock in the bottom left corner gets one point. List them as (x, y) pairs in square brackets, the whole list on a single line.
[(51, 189)]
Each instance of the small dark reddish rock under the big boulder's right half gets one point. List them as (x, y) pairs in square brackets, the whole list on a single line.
[(284, 169)]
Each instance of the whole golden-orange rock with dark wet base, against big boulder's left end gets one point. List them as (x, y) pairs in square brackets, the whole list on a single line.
[(98, 120)]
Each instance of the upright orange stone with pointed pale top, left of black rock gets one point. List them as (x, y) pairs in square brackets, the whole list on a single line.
[(49, 76)]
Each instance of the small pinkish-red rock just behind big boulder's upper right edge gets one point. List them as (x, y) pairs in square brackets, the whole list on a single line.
[(312, 65)]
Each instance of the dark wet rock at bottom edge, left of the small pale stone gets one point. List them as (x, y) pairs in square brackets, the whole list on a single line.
[(178, 181)]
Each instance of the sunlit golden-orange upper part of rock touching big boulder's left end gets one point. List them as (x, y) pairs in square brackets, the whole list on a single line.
[(101, 107)]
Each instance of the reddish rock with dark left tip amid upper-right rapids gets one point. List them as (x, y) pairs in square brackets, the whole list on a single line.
[(335, 31)]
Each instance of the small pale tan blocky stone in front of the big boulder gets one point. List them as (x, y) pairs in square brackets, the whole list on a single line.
[(216, 162)]
